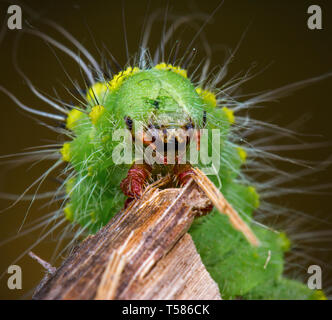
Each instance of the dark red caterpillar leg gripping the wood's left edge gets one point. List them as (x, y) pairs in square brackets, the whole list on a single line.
[(133, 185)]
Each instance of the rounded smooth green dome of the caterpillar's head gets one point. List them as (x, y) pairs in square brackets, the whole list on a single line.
[(162, 102)]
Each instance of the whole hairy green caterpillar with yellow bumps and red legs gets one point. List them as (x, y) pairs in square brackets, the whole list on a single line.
[(166, 94)]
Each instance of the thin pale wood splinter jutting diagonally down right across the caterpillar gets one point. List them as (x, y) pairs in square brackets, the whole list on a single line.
[(223, 205)]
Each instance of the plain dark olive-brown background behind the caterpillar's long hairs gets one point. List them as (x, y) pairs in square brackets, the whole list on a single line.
[(278, 33)]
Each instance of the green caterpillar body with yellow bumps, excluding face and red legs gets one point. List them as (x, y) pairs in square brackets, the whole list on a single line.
[(165, 95)]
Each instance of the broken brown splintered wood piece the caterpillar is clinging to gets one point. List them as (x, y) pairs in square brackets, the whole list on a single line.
[(140, 254)]
